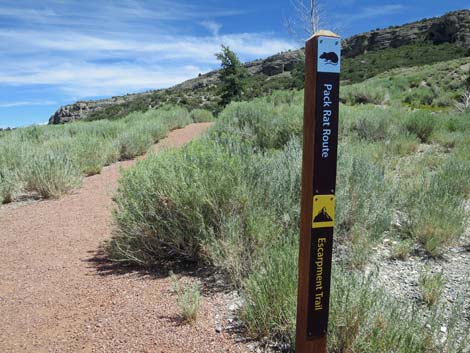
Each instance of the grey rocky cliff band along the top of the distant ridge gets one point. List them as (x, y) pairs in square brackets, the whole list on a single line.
[(453, 27)]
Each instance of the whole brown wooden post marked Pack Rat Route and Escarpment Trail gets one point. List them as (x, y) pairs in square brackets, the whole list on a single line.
[(322, 67)]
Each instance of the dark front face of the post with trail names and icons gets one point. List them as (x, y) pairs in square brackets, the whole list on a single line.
[(325, 141)]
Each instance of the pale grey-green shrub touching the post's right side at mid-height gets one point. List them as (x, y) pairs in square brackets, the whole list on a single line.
[(364, 205)]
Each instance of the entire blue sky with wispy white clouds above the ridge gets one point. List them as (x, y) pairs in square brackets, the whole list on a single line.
[(54, 52)]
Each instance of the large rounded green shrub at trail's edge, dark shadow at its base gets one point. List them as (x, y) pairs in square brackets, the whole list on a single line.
[(174, 221)]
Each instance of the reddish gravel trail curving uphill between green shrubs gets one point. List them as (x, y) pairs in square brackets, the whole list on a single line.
[(53, 298)]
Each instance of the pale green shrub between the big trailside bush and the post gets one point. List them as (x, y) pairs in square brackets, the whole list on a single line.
[(245, 236)]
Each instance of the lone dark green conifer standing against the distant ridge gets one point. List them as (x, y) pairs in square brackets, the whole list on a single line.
[(233, 76)]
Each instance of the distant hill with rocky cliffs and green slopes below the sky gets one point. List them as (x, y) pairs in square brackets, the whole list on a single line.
[(364, 55)]
